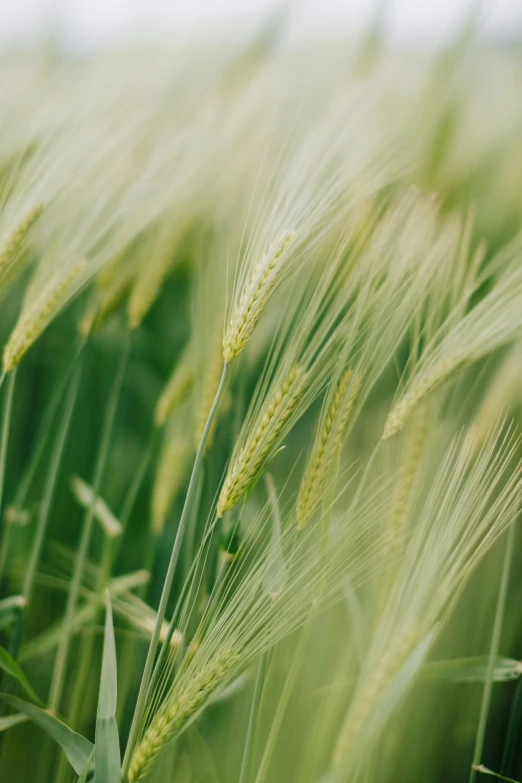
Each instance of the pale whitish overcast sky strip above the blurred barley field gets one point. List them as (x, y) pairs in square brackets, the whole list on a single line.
[(85, 23)]
